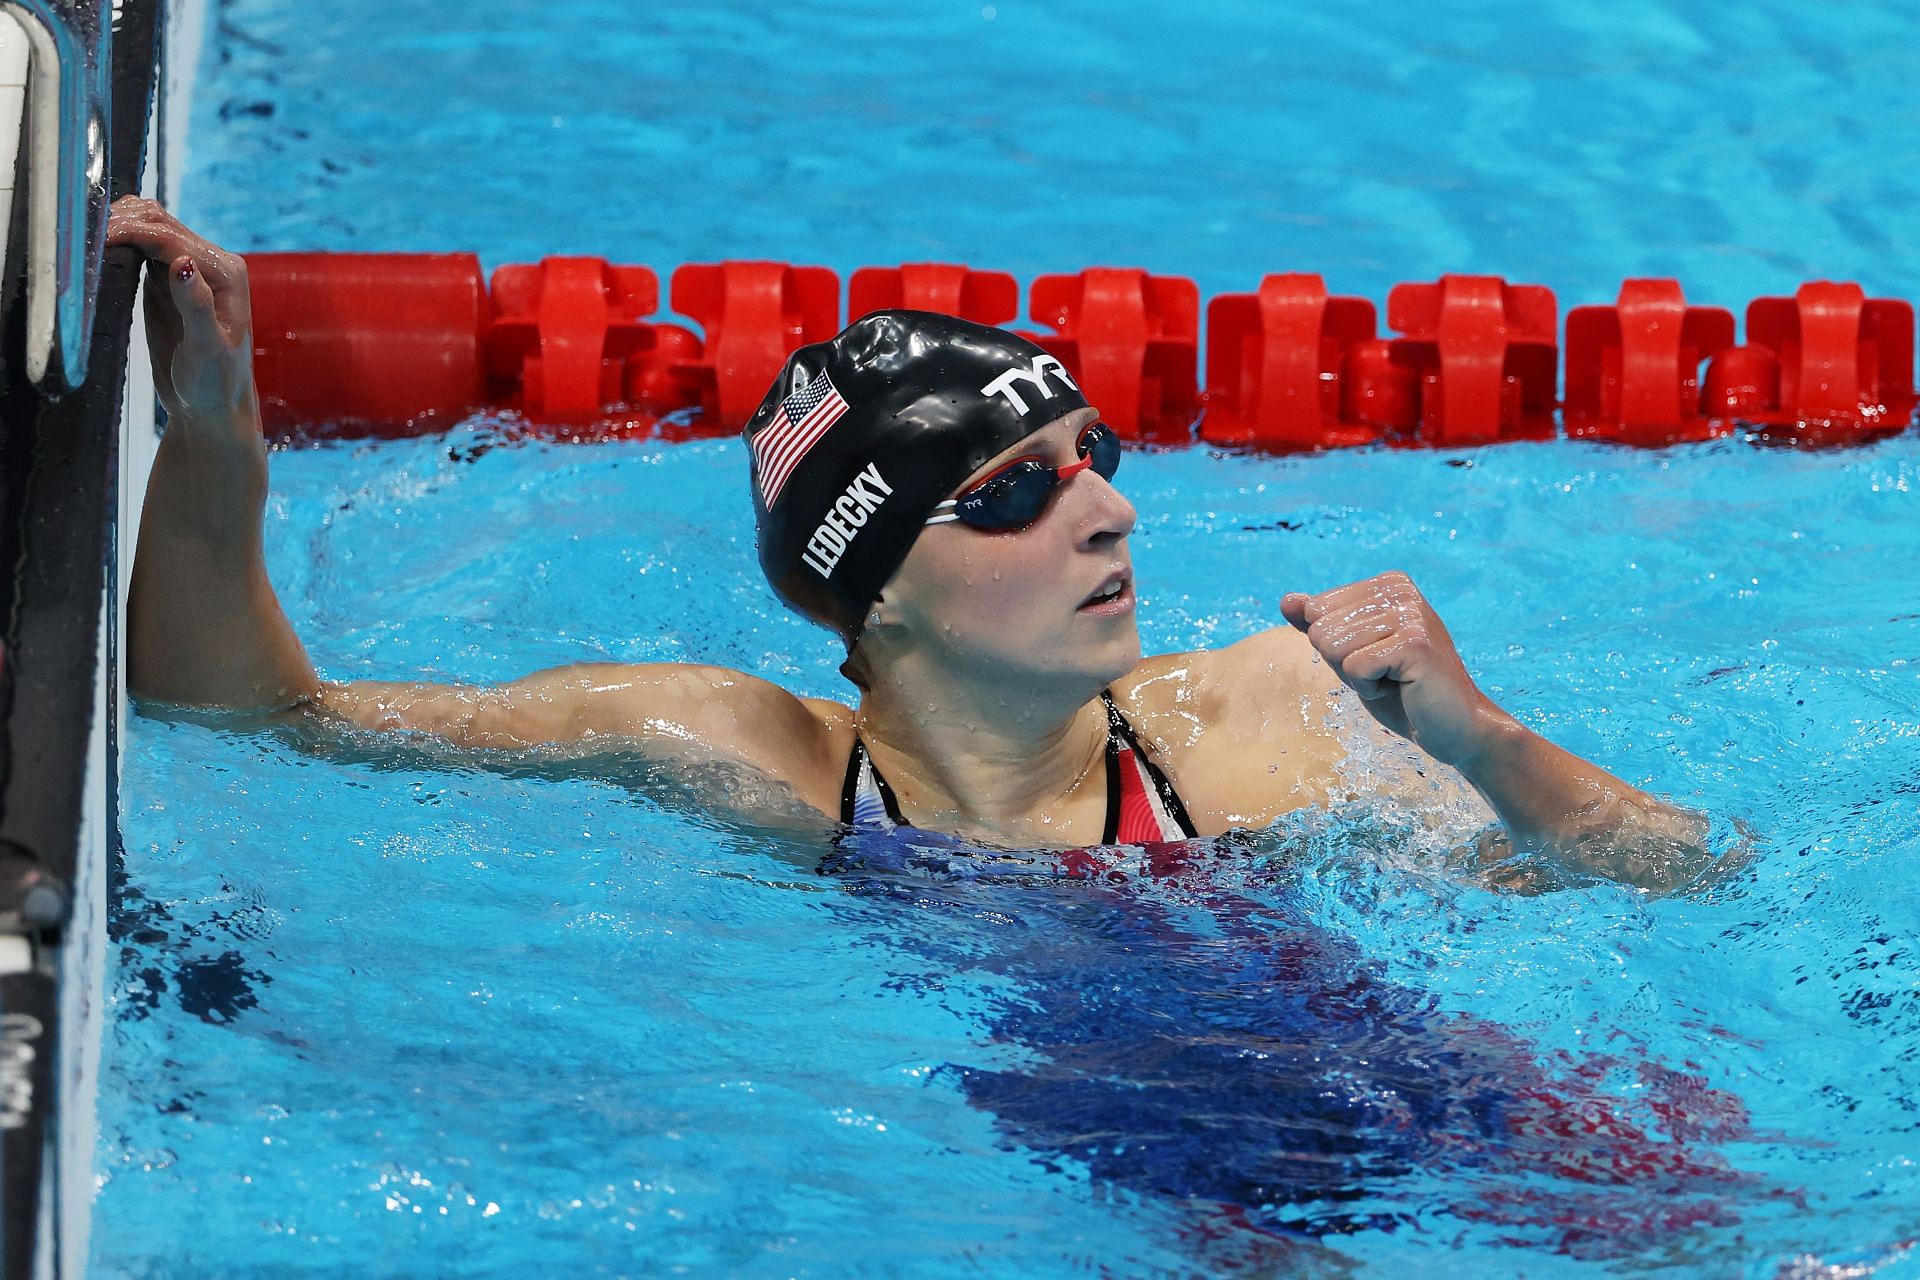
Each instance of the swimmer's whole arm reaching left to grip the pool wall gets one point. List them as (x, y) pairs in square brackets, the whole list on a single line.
[(206, 628)]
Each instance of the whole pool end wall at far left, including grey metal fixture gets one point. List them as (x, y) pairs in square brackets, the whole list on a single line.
[(64, 444)]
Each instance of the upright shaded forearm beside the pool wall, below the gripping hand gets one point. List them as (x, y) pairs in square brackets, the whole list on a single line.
[(203, 621)]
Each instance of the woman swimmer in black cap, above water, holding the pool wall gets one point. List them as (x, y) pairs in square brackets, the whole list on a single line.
[(942, 498)]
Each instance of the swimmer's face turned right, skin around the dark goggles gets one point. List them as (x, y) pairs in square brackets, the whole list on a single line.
[(1032, 604)]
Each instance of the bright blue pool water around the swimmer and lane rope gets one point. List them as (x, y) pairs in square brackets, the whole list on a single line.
[(391, 1010)]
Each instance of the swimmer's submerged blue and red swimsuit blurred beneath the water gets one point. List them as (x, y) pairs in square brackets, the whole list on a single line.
[(1189, 1031)]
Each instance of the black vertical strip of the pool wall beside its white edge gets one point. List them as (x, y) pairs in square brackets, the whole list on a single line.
[(59, 502)]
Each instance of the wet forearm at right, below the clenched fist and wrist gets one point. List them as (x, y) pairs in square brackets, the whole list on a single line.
[(1581, 817)]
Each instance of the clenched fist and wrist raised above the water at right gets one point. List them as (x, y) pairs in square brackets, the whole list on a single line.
[(1387, 644)]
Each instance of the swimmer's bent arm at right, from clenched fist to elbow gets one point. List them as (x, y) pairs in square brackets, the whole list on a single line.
[(1385, 642)]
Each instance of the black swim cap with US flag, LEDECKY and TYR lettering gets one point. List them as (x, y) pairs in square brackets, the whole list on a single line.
[(865, 435)]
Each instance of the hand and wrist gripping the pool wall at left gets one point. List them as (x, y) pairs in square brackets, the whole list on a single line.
[(199, 316)]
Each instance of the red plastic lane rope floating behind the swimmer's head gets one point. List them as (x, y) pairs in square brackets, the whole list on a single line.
[(410, 343)]
